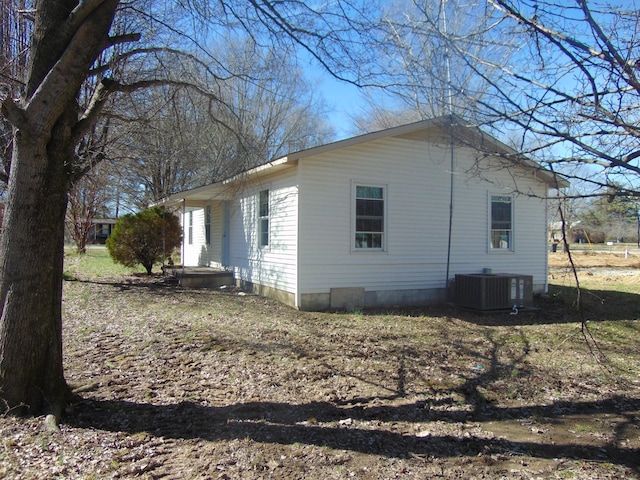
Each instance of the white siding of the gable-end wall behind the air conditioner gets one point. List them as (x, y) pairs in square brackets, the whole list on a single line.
[(417, 218)]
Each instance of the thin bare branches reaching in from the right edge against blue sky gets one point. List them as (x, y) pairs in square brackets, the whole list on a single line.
[(571, 94)]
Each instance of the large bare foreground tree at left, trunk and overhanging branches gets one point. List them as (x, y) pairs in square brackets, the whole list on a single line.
[(75, 42)]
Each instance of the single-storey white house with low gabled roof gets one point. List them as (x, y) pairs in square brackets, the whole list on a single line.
[(382, 219)]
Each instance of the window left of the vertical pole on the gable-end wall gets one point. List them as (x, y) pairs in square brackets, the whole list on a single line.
[(369, 221)]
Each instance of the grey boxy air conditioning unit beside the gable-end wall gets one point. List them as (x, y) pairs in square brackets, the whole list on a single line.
[(499, 291)]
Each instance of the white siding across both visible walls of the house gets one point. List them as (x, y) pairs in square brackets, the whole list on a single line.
[(312, 216)]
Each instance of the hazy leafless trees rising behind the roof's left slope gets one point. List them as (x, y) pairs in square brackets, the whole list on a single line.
[(180, 139)]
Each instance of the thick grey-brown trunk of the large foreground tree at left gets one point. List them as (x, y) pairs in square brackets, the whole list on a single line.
[(47, 124)]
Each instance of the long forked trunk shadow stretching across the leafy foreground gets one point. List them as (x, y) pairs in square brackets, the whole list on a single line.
[(287, 424)]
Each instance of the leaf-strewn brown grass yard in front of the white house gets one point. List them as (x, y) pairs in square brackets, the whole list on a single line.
[(201, 384)]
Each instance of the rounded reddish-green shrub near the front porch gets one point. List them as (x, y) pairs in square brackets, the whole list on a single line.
[(144, 238)]
